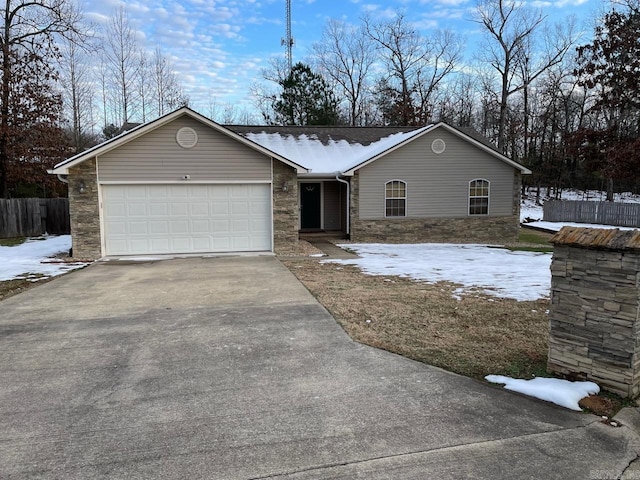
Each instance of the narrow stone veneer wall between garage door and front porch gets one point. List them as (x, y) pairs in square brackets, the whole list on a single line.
[(285, 209)]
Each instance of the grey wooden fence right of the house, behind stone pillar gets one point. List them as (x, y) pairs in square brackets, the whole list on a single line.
[(605, 213)]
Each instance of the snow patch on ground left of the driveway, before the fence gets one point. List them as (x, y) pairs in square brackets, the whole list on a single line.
[(33, 260)]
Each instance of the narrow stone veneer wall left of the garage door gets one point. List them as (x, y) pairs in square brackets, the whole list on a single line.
[(83, 210)]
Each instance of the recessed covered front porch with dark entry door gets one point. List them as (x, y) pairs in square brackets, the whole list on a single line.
[(323, 207)]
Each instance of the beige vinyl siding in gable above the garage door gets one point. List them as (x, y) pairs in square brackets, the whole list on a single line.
[(156, 157)]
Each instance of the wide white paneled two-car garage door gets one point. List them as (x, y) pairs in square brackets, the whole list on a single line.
[(160, 219)]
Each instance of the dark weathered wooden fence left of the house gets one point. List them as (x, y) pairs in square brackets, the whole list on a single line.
[(25, 217)]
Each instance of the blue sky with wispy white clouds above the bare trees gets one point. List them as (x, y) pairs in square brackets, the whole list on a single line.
[(220, 47)]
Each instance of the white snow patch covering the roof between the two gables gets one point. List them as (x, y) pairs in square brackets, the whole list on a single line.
[(334, 156)]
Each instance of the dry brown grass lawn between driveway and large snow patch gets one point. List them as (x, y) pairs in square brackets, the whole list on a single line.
[(474, 336)]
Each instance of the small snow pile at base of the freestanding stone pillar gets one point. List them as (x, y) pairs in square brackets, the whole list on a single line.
[(561, 392)]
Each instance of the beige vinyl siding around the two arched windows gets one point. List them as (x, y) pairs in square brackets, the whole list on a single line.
[(437, 185)]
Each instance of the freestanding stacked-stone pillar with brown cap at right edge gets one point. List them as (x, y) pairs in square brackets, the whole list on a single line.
[(595, 308)]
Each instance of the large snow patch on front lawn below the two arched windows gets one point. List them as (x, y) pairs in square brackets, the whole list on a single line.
[(495, 271)]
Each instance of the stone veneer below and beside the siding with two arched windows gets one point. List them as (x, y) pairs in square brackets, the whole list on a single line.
[(487, 229)]
